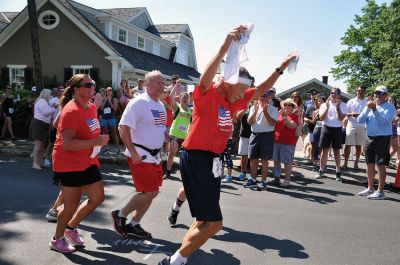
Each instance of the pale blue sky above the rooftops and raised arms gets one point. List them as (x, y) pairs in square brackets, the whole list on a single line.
[(313, 27)]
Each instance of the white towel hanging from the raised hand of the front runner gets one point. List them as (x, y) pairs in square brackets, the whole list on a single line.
[(235, 56)]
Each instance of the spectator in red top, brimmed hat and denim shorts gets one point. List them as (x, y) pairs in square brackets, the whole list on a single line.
[(285, 138)]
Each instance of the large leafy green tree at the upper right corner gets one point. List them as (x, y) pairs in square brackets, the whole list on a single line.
[(372, 55)]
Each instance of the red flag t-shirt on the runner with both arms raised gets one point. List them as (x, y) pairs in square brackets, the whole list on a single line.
[(212, 120)]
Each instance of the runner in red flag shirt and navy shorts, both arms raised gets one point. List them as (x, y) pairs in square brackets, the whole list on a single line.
[(214, 106)]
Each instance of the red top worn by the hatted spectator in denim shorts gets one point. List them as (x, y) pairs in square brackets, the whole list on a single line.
[(284, 135)]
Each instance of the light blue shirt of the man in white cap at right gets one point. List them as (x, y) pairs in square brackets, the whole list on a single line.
[(379, 122)]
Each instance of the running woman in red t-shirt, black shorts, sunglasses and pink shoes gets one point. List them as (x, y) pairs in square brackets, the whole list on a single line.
[(75, 164)]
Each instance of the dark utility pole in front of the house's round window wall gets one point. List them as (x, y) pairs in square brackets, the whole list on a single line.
[(37, 63)]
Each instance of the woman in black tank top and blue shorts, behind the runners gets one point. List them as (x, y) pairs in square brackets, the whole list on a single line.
[(108, 121)]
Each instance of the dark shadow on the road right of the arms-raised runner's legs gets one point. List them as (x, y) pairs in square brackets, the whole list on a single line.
[(285, 247)]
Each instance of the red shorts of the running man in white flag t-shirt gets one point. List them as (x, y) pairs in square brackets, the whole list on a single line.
[(147, 177)]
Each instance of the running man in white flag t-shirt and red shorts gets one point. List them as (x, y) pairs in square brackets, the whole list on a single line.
[(142, 129)]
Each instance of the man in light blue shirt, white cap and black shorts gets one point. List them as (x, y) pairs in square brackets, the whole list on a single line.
[(378, 116)]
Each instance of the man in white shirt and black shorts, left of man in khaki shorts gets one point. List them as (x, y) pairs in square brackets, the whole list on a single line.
[(331, 113)]
